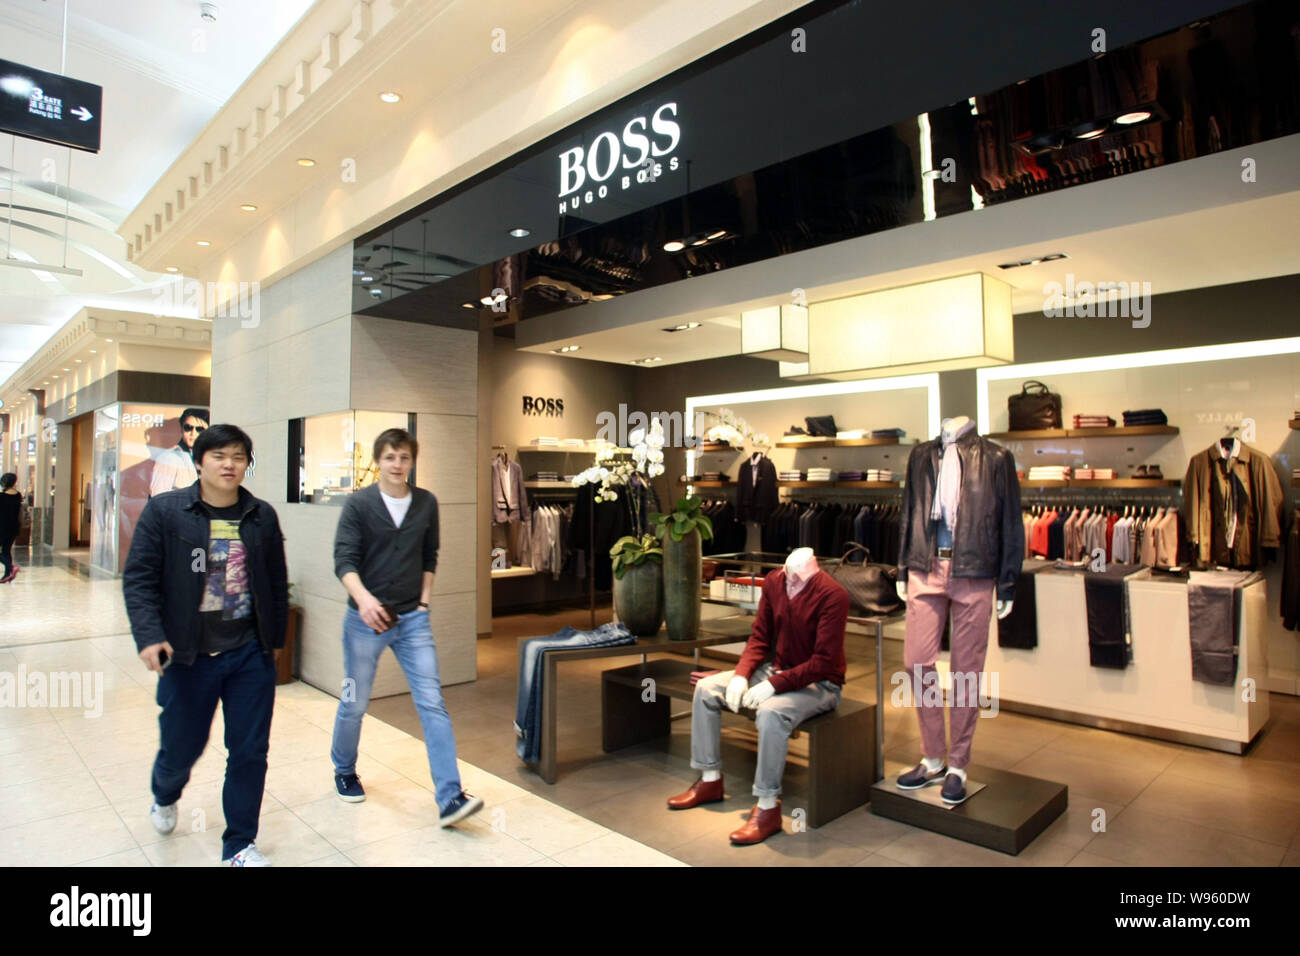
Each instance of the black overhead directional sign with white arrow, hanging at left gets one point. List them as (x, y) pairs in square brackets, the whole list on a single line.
[(49, 107)]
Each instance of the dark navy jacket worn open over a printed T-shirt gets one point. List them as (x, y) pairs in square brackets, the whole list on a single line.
[(163, 581)]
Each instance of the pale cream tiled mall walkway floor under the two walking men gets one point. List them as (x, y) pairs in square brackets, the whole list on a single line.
[(75, 788)]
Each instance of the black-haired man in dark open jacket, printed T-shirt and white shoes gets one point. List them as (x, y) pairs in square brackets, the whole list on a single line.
[(207, 594)]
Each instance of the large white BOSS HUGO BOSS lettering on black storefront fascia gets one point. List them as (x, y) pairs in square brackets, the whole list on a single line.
[(644, 142)]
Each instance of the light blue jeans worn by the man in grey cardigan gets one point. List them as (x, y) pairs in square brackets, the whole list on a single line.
[(411, 641)]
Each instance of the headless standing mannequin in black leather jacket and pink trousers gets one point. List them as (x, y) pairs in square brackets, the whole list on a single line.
[(963, 537)]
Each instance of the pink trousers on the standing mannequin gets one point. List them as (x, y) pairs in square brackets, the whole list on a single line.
[(930, 599)]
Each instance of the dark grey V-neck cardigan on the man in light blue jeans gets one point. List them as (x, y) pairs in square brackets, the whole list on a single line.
[(391, 561)]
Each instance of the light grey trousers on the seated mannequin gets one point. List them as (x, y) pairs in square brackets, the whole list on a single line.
[(775, 720)]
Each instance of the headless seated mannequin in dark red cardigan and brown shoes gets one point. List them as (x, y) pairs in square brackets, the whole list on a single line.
[(791, 671)]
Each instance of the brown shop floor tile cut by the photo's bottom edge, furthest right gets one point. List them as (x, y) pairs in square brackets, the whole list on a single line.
[(1149, 840)]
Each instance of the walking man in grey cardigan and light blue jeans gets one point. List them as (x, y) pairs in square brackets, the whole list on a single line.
[(387, 555)]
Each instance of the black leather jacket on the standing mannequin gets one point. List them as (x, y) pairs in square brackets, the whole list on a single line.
[(989, 540)]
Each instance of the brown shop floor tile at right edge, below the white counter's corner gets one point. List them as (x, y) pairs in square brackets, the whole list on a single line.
[(1220, 808)]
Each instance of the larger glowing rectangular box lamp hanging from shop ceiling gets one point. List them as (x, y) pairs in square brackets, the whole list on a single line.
[(946, 325)]
